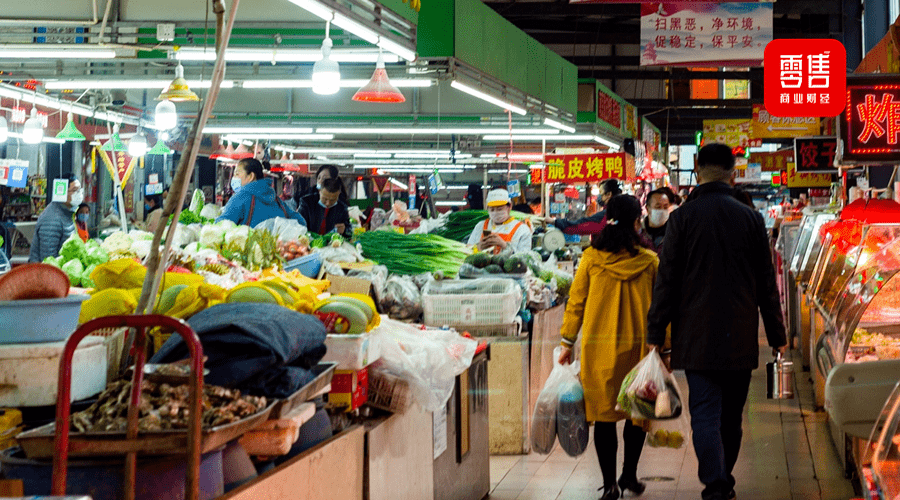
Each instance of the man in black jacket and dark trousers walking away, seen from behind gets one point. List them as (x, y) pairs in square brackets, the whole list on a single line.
[(715, 279)]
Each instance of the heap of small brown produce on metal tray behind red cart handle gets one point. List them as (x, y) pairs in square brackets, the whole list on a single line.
[(164, 407)]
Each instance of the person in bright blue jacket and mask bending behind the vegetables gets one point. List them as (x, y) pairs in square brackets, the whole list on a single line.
[(254, 199)]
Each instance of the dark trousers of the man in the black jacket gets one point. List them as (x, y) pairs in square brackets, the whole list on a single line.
[(717, 400)]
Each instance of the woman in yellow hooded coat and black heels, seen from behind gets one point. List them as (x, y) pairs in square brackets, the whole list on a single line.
[(608, 302)]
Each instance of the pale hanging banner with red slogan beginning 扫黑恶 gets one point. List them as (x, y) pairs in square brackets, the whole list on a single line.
[(687, 33)]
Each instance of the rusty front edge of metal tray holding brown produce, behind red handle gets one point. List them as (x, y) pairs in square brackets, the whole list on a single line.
[(38, 443)]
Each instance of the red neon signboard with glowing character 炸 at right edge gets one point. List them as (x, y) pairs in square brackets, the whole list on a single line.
[(870, 124)]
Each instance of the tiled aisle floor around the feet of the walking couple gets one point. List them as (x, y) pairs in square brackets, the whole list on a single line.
[(787, 454)]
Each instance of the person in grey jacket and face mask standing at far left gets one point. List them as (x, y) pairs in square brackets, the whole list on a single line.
[(56, 224)]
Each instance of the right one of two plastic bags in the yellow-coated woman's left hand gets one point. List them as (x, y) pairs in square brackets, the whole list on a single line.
[(571, 419)]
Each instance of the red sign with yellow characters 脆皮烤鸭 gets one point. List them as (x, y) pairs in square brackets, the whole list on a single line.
[(572, 169)]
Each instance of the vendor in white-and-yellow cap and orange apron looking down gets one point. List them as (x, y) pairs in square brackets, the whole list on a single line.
[(500, 230)]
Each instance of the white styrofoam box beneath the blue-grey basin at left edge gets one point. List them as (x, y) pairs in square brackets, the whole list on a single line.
[(29, 373)]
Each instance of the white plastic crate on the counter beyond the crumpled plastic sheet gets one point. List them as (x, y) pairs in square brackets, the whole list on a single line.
[(485, 301)]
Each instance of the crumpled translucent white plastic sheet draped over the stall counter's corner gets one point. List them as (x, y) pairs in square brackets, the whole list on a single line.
[(429, 360)]
